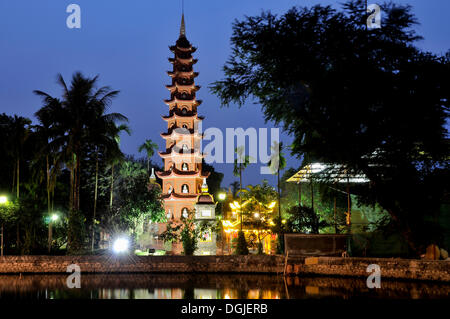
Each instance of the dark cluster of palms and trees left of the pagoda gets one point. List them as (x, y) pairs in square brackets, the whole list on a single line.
[(70, 164)]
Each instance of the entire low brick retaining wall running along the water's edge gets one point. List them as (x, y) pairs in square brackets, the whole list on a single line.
[(394, 268)]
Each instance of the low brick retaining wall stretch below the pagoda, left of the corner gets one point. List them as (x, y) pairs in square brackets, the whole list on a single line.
[(142, 264)]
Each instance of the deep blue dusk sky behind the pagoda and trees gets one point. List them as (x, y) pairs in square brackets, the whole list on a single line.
[(126, 42)]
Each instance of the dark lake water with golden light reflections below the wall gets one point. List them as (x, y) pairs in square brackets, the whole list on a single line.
[(211, 286)]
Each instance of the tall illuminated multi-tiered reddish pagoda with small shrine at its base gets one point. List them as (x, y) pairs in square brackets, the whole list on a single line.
[(183, 177)]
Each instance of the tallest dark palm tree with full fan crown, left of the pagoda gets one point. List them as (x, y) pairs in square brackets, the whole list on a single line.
[(73, 124)]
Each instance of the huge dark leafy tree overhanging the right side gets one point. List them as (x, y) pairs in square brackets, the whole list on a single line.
[(353, 97)]
